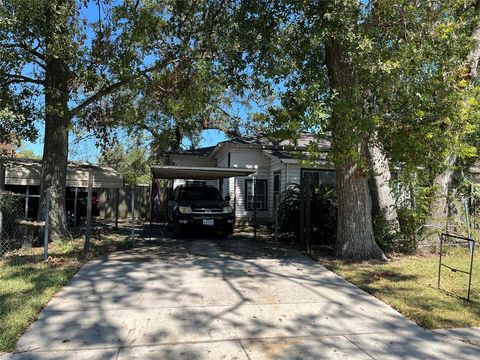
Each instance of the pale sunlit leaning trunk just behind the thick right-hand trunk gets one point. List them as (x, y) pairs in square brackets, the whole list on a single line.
[(383, 204)]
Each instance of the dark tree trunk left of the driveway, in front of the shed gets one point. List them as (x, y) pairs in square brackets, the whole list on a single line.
[(55, 151)]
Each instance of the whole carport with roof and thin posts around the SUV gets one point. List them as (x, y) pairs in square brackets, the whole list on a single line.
[(202, 173)]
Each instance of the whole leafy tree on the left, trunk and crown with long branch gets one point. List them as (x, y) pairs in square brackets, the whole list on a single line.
[(63, 68)]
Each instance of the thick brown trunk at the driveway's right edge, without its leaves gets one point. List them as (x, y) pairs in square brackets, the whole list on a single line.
[(355, 237)]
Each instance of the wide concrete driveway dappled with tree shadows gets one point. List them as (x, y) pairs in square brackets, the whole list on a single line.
[(222, 299)]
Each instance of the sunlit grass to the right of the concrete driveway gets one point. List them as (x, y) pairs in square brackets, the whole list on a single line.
[(409, 284)]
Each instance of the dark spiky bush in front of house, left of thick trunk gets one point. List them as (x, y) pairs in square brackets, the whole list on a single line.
[(323, 213)]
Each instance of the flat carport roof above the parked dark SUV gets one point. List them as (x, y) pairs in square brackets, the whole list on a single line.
[(197, 173)]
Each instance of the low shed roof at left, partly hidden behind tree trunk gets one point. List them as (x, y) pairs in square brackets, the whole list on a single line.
[(28, 172)]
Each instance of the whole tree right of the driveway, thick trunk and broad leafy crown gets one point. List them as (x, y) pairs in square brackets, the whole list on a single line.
[(348, 69)]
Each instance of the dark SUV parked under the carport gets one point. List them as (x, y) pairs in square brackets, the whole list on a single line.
[(199, 206)]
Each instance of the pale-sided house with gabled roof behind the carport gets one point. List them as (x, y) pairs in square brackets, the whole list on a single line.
[(277, 164)]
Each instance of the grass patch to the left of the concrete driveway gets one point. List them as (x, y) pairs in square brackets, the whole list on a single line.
[(27, 283)]
